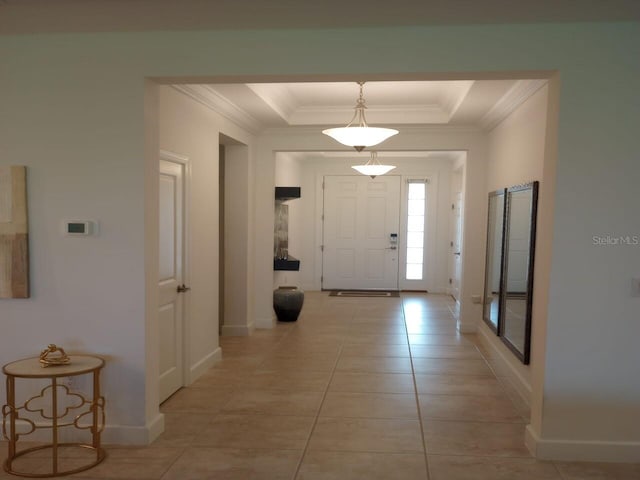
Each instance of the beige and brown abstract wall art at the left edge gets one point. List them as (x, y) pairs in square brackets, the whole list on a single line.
[(14, 235)]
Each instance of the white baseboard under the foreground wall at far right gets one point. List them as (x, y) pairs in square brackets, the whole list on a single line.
[(581, 450)]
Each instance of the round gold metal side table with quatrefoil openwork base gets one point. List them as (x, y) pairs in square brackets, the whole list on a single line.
[(55, 407)]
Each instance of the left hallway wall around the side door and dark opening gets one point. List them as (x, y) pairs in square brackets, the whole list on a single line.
[(189, 128)]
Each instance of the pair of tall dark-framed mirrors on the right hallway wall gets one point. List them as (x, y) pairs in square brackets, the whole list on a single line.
[(509, 266)]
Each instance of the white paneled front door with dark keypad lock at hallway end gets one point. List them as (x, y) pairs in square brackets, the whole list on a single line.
[(361, 215)]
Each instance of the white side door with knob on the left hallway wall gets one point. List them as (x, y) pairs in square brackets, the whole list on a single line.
[(171, 264)]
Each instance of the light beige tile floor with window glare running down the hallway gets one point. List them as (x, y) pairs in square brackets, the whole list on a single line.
[(374, 388)]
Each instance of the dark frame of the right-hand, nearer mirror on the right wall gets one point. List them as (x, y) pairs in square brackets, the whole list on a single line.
[(525, 354)]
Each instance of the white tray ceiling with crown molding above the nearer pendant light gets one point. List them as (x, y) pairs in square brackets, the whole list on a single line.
[(257, 107)]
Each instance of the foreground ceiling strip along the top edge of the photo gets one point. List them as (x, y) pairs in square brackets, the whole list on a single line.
[(30, 16)]
